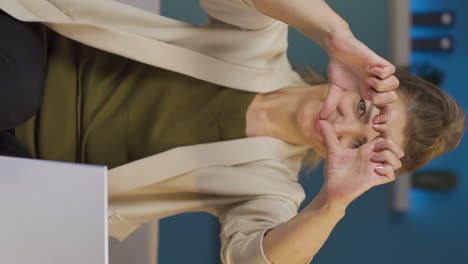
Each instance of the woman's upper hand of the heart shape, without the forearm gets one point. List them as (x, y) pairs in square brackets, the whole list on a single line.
[(354, 67)]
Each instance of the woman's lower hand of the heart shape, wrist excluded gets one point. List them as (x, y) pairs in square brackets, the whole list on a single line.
[(351, 172)]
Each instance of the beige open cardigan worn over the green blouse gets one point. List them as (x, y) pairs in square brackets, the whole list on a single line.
[(250, 184)]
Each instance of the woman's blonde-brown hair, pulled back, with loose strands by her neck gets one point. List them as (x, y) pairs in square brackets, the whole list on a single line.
[(435, 123)]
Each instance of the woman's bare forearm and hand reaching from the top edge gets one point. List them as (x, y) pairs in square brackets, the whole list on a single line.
[(353, 66)]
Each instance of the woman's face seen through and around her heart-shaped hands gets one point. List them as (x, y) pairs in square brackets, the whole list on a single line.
[(352, 122)]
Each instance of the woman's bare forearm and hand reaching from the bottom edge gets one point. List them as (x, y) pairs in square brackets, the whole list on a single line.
[(348, 174)]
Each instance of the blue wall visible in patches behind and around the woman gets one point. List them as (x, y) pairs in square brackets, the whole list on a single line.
[(433, 231)]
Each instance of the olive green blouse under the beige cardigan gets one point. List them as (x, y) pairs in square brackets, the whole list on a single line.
[(101, 108)]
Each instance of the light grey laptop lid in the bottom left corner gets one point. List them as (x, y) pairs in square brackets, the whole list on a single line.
[(52, 212)]
